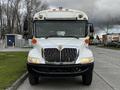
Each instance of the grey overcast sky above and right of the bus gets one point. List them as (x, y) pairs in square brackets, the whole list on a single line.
[(97, 10)]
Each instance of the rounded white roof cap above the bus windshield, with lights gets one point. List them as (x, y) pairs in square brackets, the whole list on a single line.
[(60, 14)]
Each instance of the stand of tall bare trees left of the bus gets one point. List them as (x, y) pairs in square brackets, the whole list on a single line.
[(11, 18)]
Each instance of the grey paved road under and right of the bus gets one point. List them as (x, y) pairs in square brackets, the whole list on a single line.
[(106, 75)]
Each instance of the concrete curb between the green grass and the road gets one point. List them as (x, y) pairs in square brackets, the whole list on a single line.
[(17, 83)]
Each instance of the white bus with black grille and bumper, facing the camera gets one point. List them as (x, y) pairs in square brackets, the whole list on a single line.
[(60, 41)]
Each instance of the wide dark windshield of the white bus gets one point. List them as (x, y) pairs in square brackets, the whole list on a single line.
[(60, 28)]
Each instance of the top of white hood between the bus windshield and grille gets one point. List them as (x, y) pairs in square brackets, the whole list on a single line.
[(60, 42)]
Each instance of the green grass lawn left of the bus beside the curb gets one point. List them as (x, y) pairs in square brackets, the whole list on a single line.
[(12, 66)]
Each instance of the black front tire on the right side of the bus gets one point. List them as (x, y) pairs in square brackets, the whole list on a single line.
[(87, 78)]
